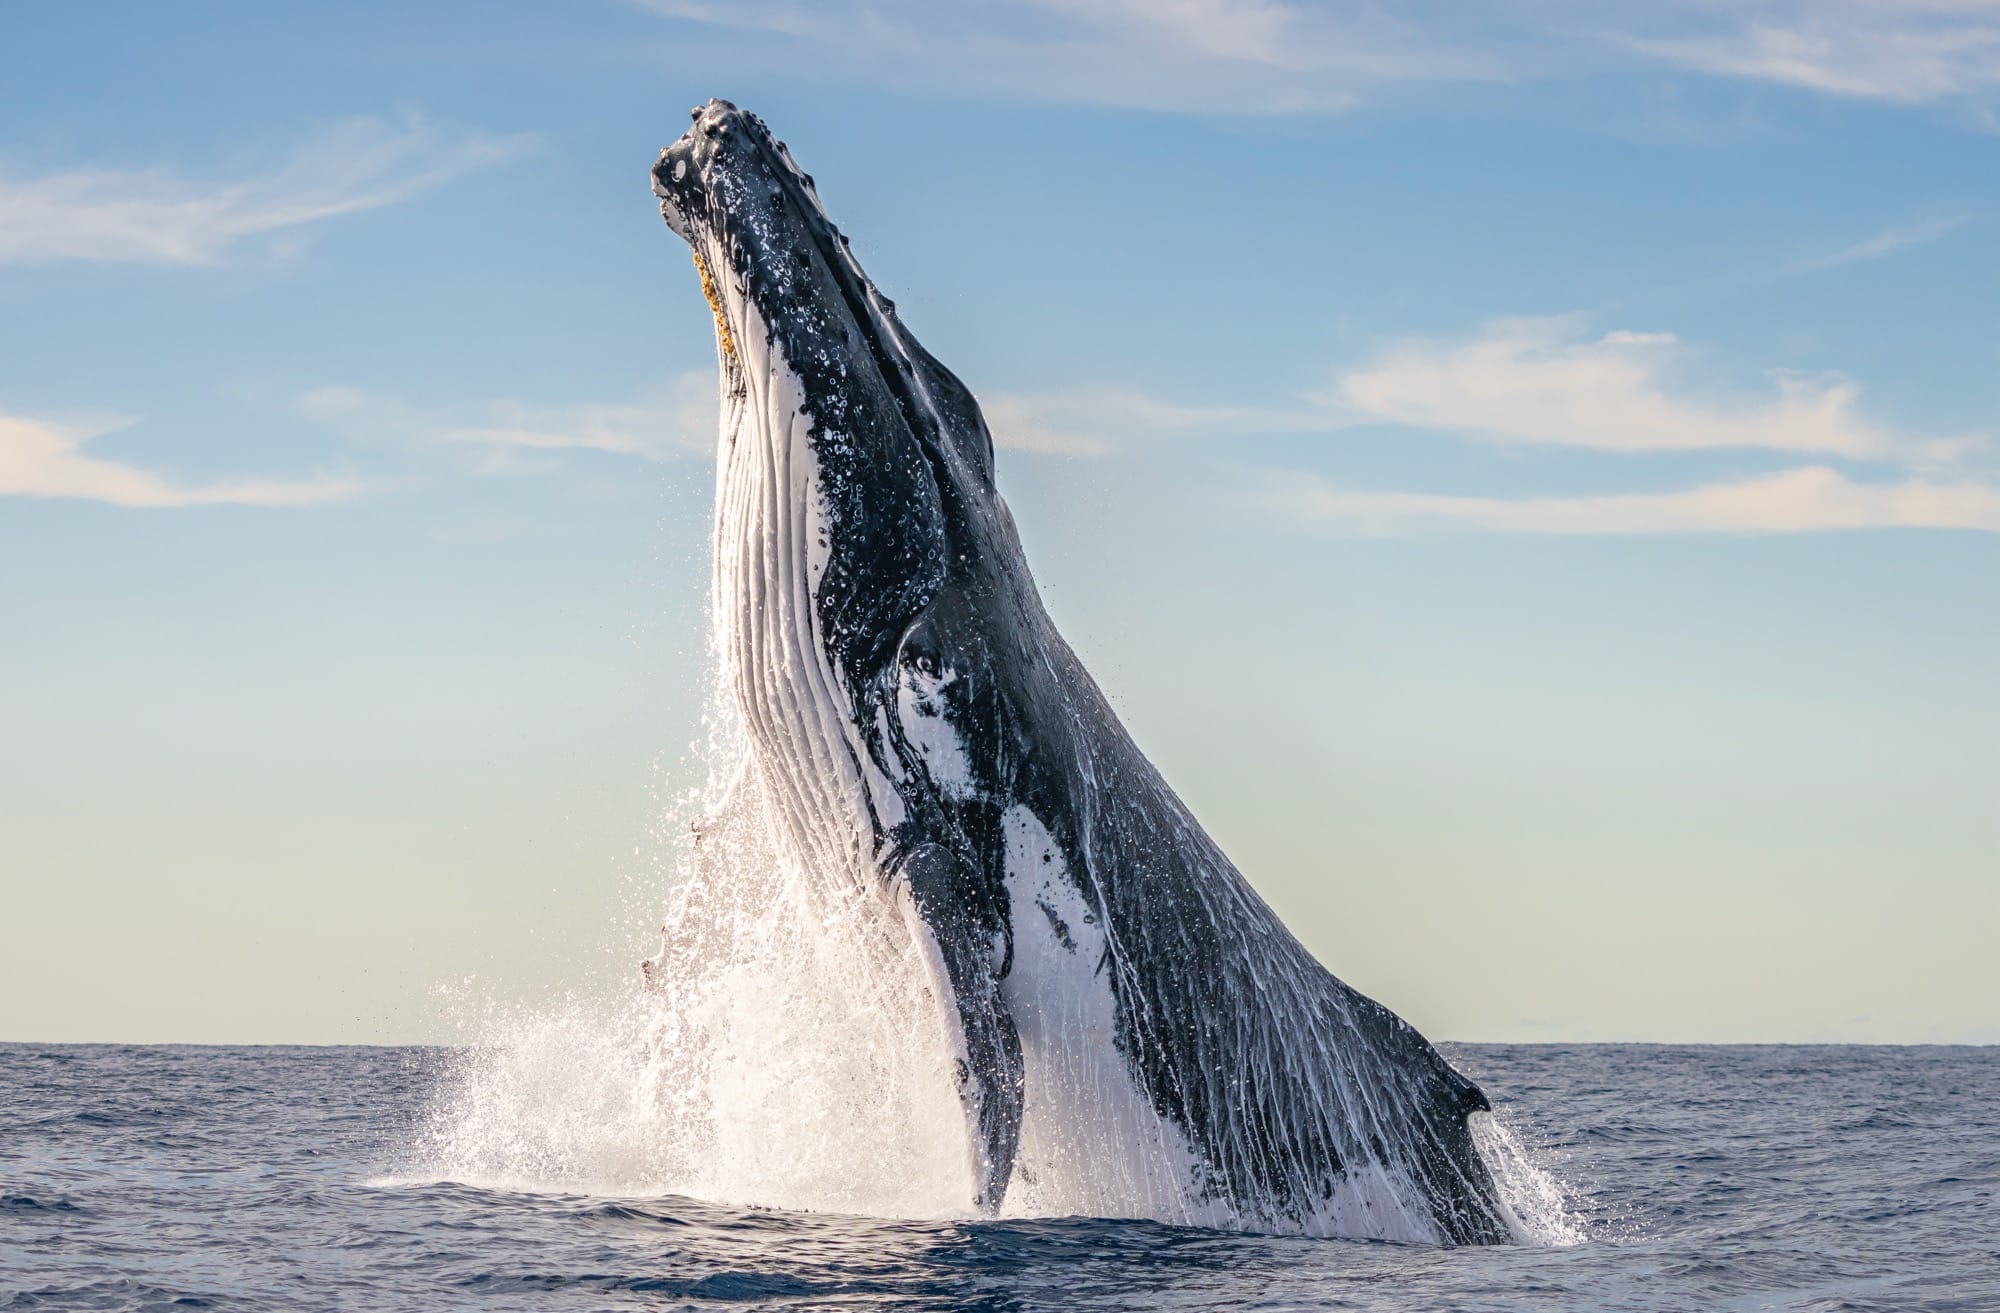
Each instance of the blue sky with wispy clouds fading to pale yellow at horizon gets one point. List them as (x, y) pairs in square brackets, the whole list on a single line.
[(1527, 473)]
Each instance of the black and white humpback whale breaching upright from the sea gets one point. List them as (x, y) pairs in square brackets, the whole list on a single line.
[(919, 730)]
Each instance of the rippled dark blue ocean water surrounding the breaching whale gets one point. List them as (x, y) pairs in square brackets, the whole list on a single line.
[(1703, 1178)]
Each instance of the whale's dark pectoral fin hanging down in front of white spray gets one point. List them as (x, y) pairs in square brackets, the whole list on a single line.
[(991, 1072)]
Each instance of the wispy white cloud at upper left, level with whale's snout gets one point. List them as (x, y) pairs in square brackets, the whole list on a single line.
[(153, 217)]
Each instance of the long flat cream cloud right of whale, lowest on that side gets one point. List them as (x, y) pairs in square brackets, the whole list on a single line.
[(1811, 499)]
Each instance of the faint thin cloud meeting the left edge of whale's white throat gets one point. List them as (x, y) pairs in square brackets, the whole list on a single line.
[(511, 437)]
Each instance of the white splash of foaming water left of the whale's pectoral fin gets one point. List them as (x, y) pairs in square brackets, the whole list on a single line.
[(783, 1052)]
